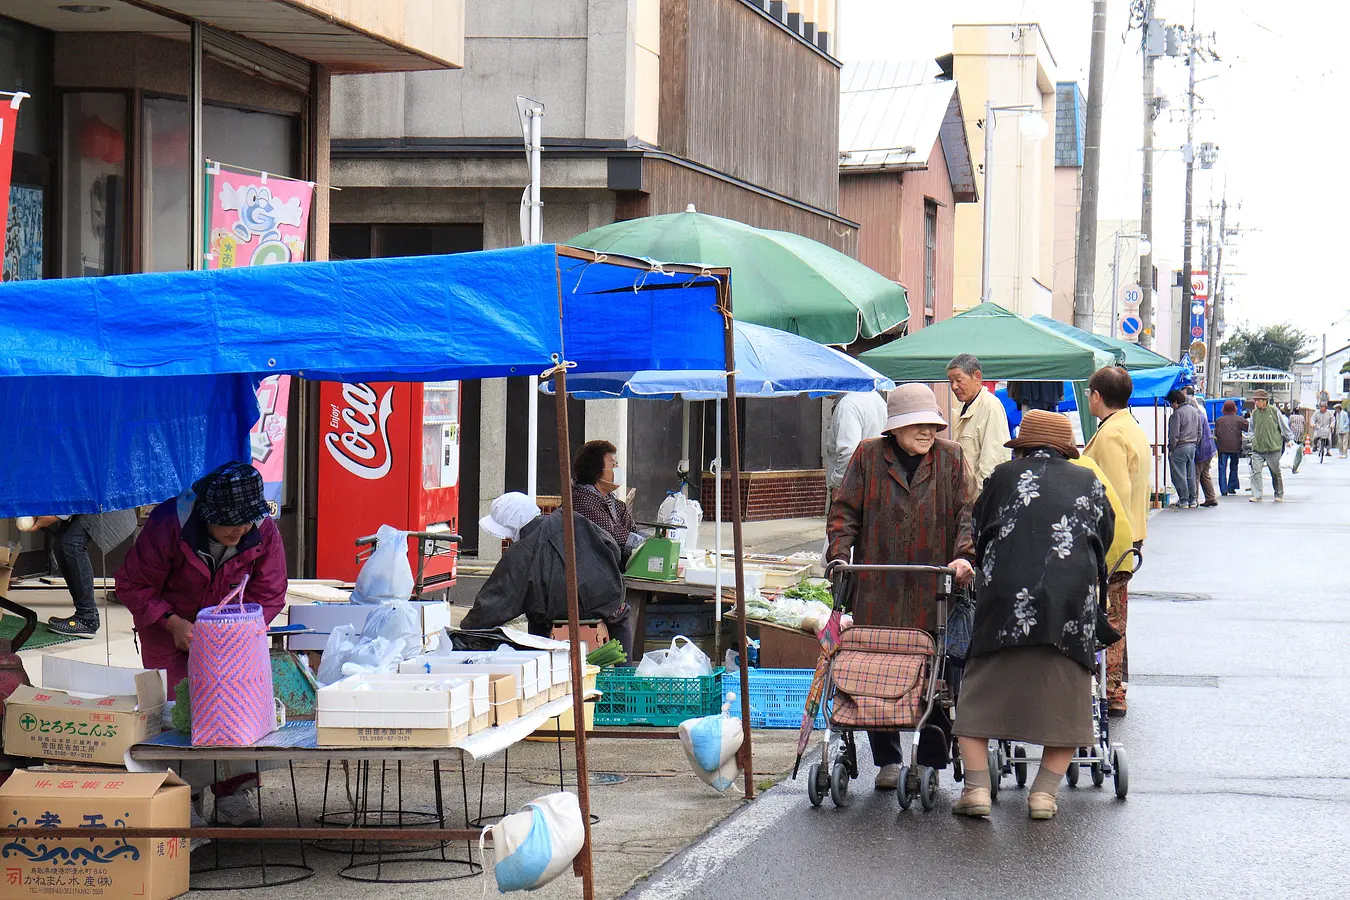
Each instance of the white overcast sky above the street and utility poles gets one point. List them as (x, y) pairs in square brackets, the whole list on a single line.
[(1275, 105)]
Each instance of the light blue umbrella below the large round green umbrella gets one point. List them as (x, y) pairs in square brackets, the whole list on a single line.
[(769, 364)]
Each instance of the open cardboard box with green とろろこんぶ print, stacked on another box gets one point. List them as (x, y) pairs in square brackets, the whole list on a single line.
[(84, 713)]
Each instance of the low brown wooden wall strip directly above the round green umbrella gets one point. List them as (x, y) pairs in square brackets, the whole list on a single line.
[(670, 188)]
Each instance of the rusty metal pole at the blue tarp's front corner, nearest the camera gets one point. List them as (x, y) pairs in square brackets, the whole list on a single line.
[(584, 863)]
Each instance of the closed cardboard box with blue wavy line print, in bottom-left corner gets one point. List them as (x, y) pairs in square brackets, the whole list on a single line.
[(102, 866)]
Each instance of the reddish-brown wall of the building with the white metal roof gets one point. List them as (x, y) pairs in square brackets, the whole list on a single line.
[(890, 208)]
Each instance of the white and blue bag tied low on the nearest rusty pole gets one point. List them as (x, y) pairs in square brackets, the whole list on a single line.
[(538, 844)]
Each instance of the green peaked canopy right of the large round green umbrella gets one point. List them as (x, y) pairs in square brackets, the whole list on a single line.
[(1010, 347)]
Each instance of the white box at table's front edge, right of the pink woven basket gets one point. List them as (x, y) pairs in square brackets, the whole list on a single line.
[(396, 702)]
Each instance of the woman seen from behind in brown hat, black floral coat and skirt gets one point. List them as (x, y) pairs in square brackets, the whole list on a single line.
[(1043, 530)]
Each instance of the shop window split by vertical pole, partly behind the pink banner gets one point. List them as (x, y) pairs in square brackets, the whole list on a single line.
[(263, 141)]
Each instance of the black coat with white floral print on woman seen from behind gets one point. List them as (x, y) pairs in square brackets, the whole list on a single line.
[(1042, 530)]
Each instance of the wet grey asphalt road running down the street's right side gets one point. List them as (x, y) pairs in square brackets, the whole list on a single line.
[(1239, 748)]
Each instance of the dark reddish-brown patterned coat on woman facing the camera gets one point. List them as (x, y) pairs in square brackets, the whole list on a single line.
[(888, 519)]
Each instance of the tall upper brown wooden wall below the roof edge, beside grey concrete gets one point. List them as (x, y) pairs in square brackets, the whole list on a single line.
[(743, 96)]
